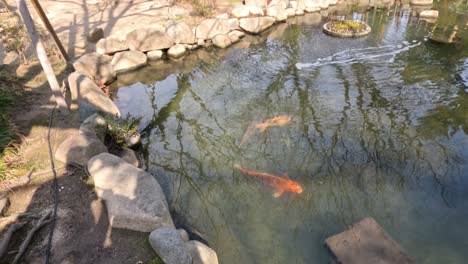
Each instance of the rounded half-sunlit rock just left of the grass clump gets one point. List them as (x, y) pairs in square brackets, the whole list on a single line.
[(80, 148)]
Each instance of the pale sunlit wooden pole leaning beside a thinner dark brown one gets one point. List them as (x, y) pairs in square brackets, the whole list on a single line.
[(42, 55)]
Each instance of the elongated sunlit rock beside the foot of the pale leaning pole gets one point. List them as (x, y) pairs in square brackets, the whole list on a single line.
[(83, 89)]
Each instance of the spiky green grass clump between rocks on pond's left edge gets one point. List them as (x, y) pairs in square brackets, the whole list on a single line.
[(120, 130)]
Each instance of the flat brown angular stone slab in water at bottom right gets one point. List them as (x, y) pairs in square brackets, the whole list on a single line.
[(366, 242)]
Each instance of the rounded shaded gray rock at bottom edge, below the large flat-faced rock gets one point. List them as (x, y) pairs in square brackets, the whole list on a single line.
[(166, 241)]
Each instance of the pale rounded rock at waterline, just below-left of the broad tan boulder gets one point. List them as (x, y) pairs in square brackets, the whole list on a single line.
[(128, 60)]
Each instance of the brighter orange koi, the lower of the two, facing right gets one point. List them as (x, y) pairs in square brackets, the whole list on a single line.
[(280, 184)]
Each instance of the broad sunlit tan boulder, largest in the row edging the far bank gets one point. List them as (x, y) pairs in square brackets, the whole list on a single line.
[(146, 39)]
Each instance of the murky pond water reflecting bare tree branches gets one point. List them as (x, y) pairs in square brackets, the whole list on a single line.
[(379, 128)]
